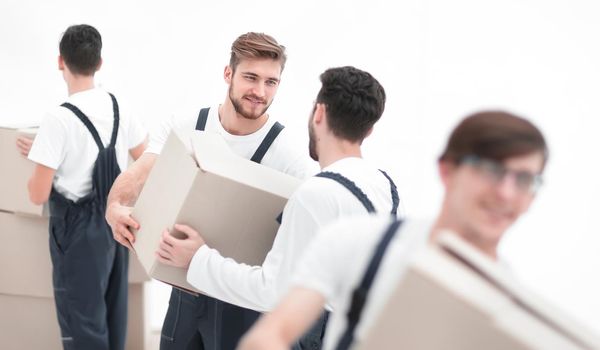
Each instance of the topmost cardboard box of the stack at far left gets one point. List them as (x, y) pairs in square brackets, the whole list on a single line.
[(16, 171)]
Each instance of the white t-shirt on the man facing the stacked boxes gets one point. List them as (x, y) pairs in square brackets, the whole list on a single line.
[(63, 142)]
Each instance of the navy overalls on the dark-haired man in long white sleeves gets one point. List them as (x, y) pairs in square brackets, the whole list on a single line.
[(313, 339)]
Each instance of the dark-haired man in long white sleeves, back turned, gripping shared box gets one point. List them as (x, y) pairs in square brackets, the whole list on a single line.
[(349, 103)]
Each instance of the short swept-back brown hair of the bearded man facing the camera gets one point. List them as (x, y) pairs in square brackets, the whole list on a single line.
[(256, 46)]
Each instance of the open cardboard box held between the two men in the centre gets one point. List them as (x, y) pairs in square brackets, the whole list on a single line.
[(233, 202)]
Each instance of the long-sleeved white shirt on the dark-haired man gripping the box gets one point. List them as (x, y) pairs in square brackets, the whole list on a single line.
[(317, 202)]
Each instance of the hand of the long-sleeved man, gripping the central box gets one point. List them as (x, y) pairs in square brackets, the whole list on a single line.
[(179, 252)]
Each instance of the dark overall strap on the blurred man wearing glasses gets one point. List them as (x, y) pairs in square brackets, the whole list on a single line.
[(360, 294)]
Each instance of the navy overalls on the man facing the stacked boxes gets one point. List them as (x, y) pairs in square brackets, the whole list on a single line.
[(89, 268)]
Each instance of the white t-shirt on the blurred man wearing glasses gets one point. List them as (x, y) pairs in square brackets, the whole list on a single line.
[(335, 262)]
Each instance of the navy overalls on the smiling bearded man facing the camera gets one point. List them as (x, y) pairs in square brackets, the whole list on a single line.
[(202, 322)]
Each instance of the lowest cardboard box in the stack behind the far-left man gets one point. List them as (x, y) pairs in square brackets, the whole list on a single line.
[(30, 322)]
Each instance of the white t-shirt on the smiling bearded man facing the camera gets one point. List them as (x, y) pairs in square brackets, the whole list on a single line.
[(282, 155)]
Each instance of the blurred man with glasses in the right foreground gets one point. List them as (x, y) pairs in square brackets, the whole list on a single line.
[(491, 169)]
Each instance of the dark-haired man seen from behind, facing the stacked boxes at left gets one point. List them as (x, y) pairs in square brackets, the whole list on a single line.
[(79, 150)]
